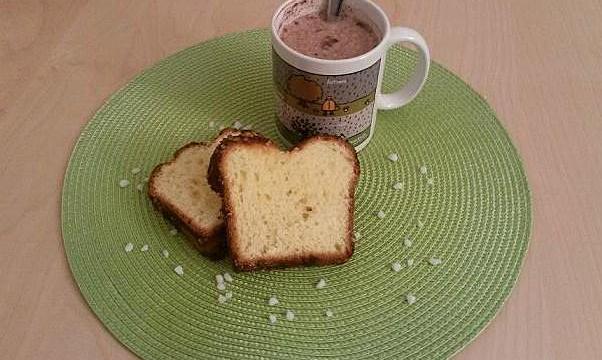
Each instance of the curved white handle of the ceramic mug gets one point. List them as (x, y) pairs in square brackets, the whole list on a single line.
[(409, 91)]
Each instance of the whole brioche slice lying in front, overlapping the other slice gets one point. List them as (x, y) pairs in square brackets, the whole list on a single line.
[(286, 208)]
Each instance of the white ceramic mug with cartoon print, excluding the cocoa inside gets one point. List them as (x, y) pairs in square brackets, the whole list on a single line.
[(338, 97)]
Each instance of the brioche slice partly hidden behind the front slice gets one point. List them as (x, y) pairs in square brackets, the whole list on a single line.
[(179, 189)]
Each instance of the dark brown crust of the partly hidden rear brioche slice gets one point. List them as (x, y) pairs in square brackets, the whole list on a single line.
[(210, 241)]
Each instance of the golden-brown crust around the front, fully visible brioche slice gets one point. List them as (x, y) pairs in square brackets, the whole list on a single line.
[(216, 180)]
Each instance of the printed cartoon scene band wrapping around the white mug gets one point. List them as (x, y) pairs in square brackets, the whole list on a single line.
[(335, 104)]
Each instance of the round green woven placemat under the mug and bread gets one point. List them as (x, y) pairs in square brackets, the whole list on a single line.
[(474, 215)]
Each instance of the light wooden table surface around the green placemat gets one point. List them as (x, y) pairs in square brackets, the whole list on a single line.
[(538, 62)]
